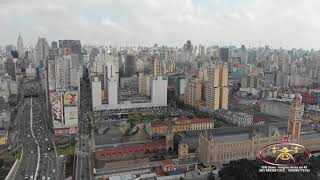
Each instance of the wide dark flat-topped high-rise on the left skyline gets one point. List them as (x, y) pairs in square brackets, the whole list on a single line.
[(70, 46)]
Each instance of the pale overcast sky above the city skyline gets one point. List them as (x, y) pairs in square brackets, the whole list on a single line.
[(286, 23)]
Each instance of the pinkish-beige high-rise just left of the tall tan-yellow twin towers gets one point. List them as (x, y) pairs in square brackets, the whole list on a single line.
[(192, 94)]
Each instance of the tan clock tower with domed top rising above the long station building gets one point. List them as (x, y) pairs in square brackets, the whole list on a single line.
[(294, 120)]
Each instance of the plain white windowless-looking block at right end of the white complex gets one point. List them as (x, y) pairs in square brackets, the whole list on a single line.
[(159, 91)]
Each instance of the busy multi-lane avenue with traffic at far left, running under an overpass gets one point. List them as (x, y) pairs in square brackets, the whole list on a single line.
[(39, 159)]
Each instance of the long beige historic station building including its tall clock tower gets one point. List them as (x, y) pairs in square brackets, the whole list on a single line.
[(220, 149)]
